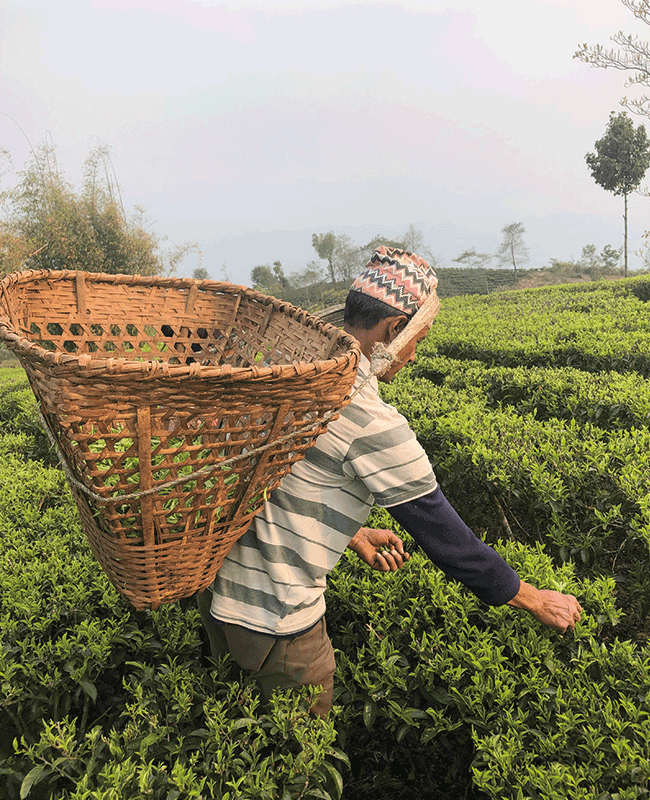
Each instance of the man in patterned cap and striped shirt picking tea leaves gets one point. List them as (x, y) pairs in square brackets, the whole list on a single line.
[(266, 606)]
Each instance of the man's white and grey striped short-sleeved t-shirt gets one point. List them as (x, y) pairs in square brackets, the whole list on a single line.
[(273, 579)]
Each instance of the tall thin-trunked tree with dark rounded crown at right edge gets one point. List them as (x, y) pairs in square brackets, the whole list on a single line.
[(621, 160)]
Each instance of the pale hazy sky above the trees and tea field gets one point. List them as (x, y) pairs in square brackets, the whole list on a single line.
[(246, 126)]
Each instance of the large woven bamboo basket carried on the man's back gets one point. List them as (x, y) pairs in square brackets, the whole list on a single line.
[(176, 406)]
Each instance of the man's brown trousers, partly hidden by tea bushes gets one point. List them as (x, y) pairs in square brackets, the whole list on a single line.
[(306, 659)]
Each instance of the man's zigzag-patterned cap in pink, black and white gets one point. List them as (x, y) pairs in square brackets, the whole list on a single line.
[(398, 278)]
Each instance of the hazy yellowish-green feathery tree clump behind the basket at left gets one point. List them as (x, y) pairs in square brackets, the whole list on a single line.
[(46, 224)]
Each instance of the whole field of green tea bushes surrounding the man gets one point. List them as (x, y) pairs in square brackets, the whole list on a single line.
[(437, 695)]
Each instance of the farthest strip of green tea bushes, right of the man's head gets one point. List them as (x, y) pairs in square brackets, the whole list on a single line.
[(595, 327)]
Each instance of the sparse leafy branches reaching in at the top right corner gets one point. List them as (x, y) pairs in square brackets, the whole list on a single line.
[(632, 56)]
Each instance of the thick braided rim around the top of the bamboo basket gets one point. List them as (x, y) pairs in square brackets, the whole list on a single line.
[(116, 367)]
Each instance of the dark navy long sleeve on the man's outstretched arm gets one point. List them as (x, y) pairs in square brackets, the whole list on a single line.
[(455, 549)]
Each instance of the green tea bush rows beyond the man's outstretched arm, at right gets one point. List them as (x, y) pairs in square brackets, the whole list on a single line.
[(549, 453)]
